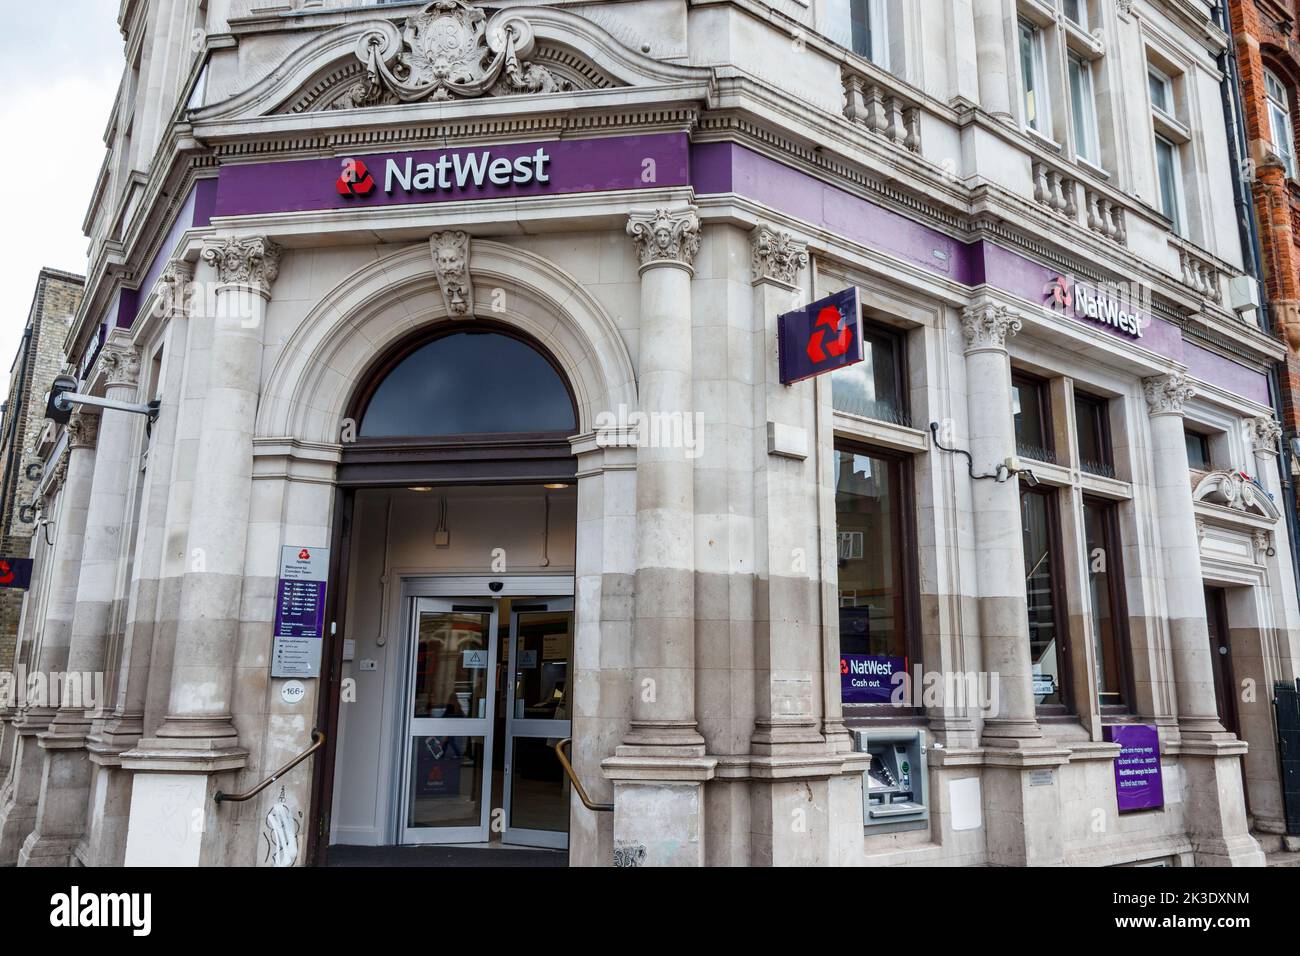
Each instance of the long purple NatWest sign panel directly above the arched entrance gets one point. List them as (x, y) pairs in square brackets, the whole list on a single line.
[(437, 176)]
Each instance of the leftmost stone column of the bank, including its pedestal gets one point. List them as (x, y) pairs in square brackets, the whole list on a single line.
[(19, 816)]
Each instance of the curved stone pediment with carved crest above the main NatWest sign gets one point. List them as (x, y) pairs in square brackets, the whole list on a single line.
[(450, 51)]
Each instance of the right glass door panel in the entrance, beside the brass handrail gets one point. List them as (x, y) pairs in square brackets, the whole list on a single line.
[(540, 672)]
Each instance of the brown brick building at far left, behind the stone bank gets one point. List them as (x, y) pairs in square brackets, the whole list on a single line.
[(40, 358)]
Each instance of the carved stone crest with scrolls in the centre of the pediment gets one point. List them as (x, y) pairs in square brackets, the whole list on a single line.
[(448, 50)]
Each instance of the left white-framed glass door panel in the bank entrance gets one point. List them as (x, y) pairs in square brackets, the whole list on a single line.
[(449, 741)]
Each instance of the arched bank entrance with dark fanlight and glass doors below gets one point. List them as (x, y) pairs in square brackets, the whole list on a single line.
[(456, 550)]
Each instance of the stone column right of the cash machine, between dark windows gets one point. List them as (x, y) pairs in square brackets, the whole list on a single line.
[(999, 542)]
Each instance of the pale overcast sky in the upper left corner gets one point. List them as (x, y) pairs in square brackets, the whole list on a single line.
[(59, 72)]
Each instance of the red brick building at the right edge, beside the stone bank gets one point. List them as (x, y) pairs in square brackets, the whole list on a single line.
[(1268, 50)]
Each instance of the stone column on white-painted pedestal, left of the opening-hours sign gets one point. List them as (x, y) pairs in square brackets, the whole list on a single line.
[(198, 739)]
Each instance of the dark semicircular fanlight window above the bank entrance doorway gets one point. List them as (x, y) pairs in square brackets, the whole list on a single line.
[(470, 382)]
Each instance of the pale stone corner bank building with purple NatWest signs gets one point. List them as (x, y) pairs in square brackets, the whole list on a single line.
[(475, 438)]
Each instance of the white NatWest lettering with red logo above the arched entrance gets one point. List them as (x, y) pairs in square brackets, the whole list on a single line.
[(450, 172)]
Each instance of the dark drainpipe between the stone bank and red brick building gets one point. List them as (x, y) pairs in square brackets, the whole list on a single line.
[(1234, 118)]
